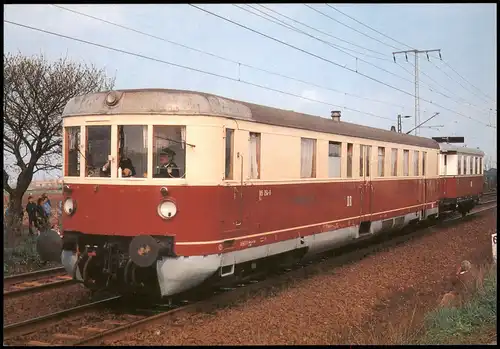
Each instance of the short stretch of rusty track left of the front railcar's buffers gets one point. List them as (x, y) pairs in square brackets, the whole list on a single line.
[(20, 284)]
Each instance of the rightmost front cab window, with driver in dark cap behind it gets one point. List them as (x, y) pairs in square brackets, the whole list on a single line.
[(169, 151)]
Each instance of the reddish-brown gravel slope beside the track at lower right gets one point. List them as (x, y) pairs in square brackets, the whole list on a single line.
[(391, 289)]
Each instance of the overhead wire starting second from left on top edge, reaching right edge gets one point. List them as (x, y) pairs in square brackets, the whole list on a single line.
[(331, 62)]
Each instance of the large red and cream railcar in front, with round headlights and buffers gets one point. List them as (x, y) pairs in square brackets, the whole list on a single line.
[(220, 187)]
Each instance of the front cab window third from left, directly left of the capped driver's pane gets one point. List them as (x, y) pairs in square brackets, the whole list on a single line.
[(132, 151)]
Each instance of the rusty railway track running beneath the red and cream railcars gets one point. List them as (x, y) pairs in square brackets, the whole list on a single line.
[(73, 327)]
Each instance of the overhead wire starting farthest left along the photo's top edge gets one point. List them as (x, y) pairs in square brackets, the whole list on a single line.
[(229, 60)]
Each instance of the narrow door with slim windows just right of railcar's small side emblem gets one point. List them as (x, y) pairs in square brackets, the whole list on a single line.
[(366, 188)]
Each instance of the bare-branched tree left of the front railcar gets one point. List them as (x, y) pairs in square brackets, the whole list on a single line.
[(35, 94)]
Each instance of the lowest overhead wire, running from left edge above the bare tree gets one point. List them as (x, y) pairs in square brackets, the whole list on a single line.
[(190, 68)]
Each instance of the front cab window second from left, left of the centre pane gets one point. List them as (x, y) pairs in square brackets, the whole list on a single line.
[(97, 151)]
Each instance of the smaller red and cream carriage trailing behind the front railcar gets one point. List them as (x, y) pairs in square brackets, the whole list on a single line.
[(461, 170)]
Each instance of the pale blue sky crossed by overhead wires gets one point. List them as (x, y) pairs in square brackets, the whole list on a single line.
[(466, 34)]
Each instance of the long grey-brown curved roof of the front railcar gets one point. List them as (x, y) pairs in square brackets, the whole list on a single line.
[(155, 101)]
